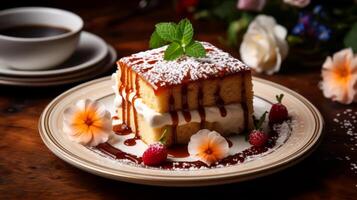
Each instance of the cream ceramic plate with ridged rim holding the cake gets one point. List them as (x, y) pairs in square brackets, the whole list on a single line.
[(302, 140)]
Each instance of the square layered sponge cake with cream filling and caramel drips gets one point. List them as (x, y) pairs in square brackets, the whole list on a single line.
[(181, 97)]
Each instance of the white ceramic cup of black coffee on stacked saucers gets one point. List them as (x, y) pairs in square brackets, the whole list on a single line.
[(43, 52)]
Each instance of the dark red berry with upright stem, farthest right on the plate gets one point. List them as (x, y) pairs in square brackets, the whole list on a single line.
[(278, 112)]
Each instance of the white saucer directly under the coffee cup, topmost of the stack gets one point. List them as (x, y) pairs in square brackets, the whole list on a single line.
[(91, 50)]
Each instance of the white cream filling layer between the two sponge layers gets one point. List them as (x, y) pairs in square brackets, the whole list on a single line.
[(232, 122)]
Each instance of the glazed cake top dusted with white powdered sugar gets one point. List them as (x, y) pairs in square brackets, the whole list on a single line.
[(158, 72)]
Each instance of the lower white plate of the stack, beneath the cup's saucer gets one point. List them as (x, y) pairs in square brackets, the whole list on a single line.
[(85, 74)]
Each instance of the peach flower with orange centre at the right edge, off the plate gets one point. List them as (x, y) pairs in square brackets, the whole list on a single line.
[(339, 77)]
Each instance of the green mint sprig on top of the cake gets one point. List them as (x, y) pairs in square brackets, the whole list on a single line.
[(180, 39)]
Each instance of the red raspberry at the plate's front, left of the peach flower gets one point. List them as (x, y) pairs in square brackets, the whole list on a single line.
[(155, 155)]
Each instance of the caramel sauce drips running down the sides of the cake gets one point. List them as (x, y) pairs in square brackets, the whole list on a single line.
[(128, 84)]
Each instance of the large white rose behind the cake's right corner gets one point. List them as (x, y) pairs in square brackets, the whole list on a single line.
[(264, 45)]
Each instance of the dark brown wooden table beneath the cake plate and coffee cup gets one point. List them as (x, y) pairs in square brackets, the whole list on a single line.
[(28, 170)]
